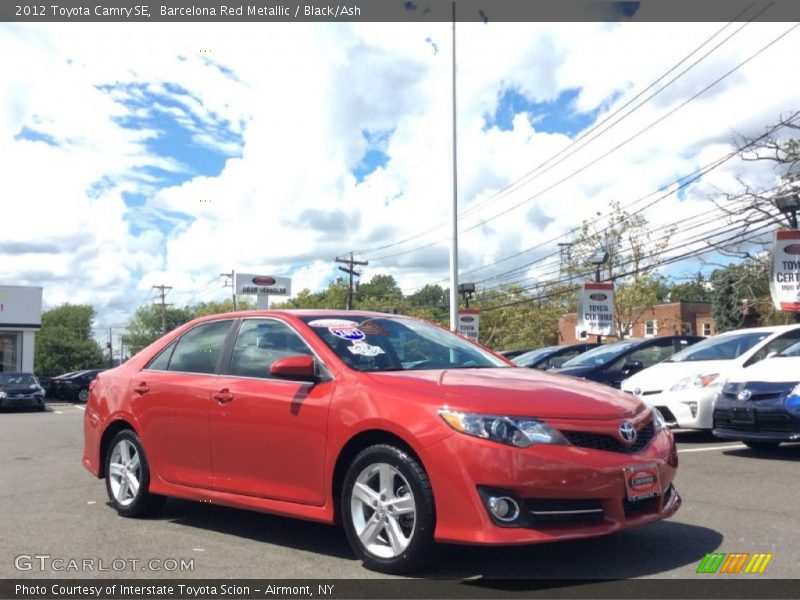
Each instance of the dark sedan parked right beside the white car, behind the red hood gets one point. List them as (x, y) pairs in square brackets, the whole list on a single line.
[(613, 363)]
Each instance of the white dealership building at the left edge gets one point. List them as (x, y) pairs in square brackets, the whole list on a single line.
[(20, 319)]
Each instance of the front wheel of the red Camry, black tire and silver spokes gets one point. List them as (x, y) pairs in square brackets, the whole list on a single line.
[(402, 542)]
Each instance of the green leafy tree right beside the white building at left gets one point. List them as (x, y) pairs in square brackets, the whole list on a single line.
[(65, 342)]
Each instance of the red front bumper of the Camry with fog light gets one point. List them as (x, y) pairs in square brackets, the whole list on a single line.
[(549, 481)]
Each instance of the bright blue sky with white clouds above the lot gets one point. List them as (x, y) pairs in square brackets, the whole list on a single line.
[(151, 154)]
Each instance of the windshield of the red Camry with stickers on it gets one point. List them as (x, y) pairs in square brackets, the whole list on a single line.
[(398, 344)]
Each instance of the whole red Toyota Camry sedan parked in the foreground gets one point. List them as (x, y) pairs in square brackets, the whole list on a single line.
[(403, 432)]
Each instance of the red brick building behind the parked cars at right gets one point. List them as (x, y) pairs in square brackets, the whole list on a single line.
[(672, 318)]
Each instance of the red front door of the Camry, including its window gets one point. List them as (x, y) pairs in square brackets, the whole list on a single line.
[(268, 435)]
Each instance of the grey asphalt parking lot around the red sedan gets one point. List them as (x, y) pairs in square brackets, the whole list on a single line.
[(735, 500)]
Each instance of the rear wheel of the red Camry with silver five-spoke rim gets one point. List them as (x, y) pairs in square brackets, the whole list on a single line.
[(127, 501)]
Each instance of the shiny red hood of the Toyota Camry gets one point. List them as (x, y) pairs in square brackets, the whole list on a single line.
[(515, 392)]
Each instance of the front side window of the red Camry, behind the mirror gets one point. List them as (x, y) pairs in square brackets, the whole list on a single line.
[(261, 342)]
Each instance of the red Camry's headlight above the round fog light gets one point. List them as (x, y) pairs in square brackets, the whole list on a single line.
[(514, 431)]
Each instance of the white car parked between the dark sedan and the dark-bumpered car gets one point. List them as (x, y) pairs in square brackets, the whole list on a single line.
[(684, 386)]
